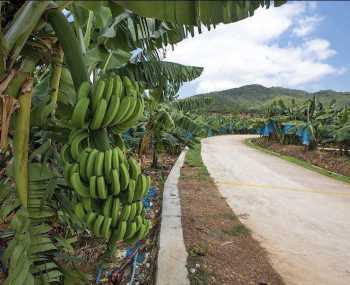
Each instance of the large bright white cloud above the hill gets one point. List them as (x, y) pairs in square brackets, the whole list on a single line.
[(248, 52)]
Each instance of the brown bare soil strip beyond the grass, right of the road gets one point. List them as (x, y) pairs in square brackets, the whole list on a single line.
[(330, 161)]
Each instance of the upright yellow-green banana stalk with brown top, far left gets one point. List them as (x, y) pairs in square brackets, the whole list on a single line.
[(21, 141)]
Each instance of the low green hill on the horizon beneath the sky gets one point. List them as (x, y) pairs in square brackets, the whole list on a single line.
[(251, 98)]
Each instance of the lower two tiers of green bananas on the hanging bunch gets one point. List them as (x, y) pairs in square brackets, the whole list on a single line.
[(110, 190)]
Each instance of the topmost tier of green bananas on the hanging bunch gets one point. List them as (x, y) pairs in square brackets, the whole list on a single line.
[(113, 102)]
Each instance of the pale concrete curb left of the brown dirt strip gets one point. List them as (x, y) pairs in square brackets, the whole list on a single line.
[(172, 255)]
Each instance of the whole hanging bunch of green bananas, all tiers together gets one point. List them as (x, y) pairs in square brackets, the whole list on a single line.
[(109, 186)]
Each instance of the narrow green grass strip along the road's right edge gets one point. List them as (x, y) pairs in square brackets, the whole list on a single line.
[(300, 162)]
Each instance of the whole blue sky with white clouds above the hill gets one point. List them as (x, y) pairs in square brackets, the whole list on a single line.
[(302, 45)]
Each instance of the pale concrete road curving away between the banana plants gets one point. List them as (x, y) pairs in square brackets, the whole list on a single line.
[(300, 217)]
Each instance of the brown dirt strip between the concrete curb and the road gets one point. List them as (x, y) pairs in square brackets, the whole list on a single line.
[(221, 249)]
